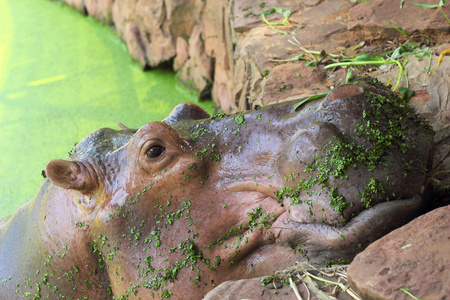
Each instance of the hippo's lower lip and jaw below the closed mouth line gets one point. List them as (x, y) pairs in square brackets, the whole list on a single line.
[(286, 241)]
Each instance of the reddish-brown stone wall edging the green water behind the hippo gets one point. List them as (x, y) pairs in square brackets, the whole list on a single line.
[(223, 47)]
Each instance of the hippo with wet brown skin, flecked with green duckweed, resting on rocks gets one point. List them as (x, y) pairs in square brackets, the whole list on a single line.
[(179, 206)]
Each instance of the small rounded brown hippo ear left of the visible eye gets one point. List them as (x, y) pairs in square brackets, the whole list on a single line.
[(72, 175)]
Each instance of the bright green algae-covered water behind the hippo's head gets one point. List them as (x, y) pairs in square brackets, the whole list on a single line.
[(62, 76)]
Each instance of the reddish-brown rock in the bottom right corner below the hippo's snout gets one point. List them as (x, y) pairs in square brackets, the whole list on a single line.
[(415, 256)]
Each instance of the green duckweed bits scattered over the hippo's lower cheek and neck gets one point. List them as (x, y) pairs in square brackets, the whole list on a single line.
[(107, 252)]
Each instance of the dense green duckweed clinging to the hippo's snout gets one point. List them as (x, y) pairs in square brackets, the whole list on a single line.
[(381, 129)]
